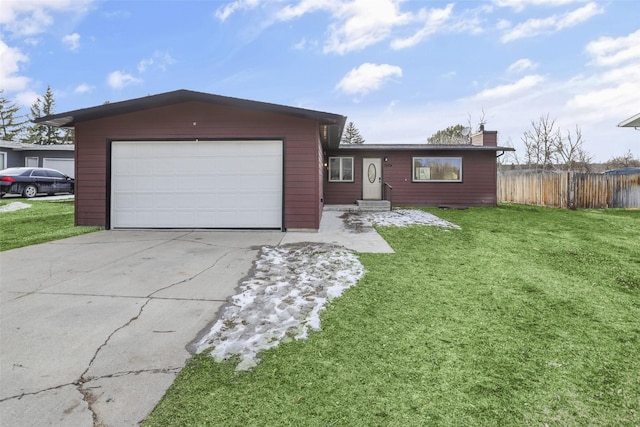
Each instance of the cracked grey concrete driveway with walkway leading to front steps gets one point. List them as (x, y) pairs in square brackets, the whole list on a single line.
[(95, 328)]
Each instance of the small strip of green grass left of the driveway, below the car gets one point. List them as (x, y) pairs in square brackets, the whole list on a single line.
[(44, 221)]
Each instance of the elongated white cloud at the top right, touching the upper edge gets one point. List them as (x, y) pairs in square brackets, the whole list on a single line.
[(551, 24)]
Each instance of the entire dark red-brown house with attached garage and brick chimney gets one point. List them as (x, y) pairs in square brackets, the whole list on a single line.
[(187, 159)]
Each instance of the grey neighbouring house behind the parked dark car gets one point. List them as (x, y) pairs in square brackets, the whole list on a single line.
[(58, 156)]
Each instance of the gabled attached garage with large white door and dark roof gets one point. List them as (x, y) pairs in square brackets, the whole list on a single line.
[(186, 159)]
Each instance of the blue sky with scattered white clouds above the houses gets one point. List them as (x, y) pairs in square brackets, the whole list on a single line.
[(399, 70)]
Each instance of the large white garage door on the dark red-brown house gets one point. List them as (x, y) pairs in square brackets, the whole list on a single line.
[(191, 184)]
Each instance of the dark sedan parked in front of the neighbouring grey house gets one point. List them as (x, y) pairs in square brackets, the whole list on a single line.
[(33, 181)]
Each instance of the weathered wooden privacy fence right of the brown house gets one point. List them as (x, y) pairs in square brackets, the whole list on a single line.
[(570, 190)]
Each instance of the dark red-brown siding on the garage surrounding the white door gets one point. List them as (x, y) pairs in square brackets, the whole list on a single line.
[(193, 120)]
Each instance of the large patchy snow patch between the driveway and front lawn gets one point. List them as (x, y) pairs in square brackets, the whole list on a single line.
[(282, 300)]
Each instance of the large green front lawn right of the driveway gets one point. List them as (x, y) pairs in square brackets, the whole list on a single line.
[(526, 317)]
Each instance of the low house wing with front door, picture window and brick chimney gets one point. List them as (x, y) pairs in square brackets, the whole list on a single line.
[(416, 174)]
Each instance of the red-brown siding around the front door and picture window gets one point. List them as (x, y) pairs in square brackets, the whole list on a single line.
[(478, 186)]
